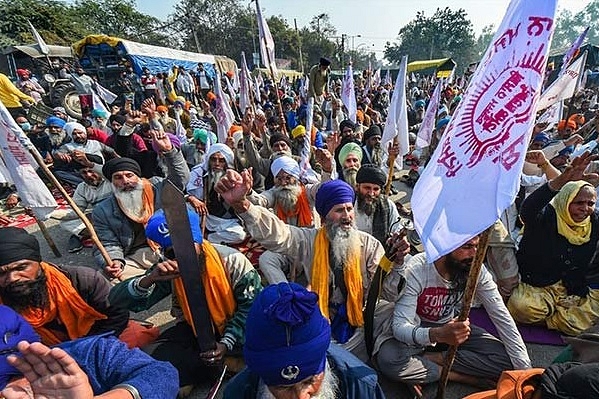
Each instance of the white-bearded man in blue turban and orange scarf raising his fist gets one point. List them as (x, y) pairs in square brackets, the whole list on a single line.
[(339, 261)]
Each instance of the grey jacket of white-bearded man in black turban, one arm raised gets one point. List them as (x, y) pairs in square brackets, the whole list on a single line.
[(112, 226)]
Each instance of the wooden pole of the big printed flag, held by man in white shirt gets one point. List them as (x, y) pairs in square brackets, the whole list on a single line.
[(469, 292)]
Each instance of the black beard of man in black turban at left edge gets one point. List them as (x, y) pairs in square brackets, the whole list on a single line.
[(27, 295)]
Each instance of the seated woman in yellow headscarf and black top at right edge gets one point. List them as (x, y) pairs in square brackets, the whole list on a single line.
[(559, 283)]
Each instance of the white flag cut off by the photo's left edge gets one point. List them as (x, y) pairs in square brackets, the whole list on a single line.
[(14, 145)]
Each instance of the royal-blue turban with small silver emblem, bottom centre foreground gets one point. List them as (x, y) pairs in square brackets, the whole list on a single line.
[(286, 335)]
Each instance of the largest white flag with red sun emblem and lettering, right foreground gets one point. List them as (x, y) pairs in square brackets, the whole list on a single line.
[(474, 173)]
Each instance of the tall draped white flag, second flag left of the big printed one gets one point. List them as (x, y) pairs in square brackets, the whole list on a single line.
[(397, 117)]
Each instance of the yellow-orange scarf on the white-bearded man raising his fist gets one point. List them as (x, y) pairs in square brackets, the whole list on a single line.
[(351, 274)]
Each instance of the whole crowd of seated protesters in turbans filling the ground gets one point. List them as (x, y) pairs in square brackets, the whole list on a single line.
[(294, 196)]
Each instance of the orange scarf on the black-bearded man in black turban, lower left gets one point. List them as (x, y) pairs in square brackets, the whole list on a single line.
[(66, 306)]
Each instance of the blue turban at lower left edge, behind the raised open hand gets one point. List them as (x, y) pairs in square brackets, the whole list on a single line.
[(13, 329)]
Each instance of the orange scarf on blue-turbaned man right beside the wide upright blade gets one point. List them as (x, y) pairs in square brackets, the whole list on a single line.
[(219, 295)]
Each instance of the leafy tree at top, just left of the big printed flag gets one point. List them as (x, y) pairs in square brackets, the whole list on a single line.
[(447, 33)]
